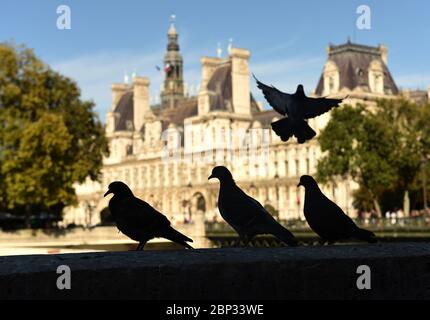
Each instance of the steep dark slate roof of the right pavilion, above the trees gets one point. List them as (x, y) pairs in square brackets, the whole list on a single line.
[(353, 61)]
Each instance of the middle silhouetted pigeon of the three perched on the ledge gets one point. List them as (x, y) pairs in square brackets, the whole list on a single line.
[(245, 214)]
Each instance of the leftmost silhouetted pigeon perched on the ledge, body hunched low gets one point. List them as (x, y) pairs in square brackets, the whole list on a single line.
[(138, 220)]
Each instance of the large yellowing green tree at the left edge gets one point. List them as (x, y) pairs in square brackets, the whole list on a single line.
[(49, 138)]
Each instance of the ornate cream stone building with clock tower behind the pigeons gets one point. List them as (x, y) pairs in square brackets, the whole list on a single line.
[(165, 152)]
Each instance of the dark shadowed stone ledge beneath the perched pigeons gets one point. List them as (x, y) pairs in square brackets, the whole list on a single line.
[(399, 271)]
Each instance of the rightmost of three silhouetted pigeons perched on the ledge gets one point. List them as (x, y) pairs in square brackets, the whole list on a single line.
[(326, 218)]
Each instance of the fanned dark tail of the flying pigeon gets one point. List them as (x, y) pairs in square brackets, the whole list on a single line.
[(285, 128)]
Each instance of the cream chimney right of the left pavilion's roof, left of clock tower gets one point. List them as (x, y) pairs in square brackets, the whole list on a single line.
[(140, 101)]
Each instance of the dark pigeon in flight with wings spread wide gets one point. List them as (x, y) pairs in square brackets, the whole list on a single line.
[(297, 108)]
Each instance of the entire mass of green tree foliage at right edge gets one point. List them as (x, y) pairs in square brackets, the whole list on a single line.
[(380, 146)]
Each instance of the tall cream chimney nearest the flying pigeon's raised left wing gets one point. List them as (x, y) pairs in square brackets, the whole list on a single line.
[(240, 80)]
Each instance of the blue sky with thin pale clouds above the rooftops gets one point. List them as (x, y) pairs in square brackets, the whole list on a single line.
[(287, 39)]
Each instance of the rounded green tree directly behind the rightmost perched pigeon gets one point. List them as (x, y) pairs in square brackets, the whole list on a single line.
[(356, 145)]
